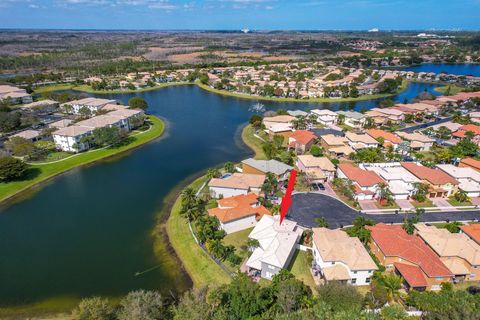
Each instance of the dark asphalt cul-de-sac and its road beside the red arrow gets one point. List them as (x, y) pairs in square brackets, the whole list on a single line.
[(308, 206)]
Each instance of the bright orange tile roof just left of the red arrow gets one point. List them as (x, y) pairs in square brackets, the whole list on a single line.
[(234, 208)]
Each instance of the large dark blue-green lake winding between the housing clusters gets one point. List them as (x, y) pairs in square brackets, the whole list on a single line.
[(89, 231)]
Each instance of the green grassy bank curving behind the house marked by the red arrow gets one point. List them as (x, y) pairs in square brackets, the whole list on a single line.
[(199, 266)]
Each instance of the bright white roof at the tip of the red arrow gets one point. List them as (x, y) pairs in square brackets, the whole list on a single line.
[(276, 242)]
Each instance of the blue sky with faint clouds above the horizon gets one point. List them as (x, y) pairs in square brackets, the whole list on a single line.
[(237, 14)]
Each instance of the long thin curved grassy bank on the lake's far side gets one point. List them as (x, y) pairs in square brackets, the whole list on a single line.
[(255, 97)]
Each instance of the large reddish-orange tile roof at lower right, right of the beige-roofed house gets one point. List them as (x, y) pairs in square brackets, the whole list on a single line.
[(393, 241)]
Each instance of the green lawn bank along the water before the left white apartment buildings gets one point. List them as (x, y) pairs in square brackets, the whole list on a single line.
[(41, 173)]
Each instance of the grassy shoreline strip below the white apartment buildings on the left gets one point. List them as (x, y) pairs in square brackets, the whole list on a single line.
[(16, 189)]
